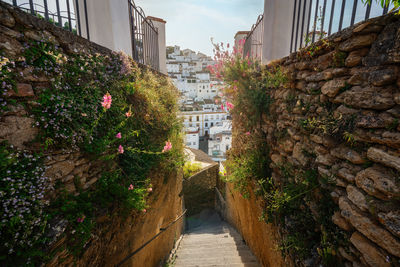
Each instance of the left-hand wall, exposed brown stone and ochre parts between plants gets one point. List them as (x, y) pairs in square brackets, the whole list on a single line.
[(115, 236)]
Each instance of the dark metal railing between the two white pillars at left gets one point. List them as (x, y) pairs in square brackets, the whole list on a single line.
[(144, 37)]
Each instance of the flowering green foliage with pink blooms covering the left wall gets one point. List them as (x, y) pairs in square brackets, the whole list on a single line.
[(70, 115)]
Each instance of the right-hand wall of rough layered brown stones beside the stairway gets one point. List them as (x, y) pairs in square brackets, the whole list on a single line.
[(339, 115)]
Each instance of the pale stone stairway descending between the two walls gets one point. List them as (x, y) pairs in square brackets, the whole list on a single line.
[(211, 242)]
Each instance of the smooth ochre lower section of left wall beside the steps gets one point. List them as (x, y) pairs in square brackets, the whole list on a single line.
[(116, 237)]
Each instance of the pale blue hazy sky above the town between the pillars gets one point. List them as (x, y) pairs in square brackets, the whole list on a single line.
[(191, 23)]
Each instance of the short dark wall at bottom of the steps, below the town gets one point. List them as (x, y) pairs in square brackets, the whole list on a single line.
[(198, 189)]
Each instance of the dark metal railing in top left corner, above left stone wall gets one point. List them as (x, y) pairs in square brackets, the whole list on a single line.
[(62, 13)]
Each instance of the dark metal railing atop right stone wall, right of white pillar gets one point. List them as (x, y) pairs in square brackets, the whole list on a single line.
[(316, 19)]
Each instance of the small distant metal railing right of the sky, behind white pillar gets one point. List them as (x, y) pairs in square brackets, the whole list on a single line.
[(254, 40)]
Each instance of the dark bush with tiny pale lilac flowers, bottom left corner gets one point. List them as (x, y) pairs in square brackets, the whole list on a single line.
[(22, 218)]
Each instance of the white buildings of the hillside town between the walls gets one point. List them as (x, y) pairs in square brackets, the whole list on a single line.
[(207, 124)]
